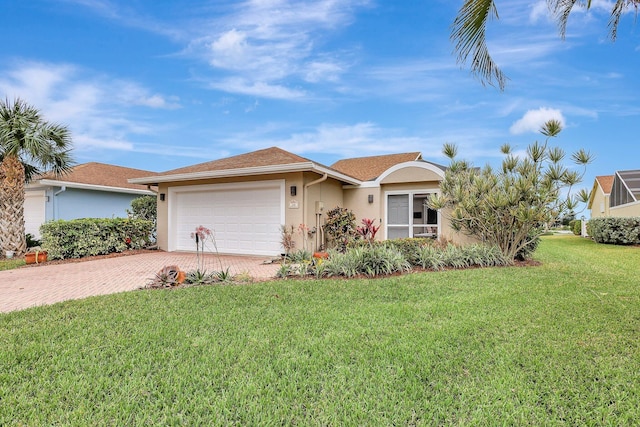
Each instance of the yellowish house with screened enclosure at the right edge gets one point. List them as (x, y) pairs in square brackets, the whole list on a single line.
[(616, 195)]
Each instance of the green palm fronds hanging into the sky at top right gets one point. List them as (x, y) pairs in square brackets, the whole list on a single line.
[(468, 32)]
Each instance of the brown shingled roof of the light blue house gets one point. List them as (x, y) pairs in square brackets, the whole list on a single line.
[(99, 174)]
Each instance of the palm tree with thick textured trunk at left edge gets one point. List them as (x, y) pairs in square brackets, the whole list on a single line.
[(29, 145)]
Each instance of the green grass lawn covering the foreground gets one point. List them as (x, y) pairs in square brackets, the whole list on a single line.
[(550, 345)]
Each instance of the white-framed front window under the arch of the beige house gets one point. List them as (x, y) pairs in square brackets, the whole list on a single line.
[(409, 216)]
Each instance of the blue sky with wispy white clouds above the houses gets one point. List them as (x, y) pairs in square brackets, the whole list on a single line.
[(162, 84)]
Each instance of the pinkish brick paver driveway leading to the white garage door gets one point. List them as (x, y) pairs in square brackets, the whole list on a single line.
[(47, 284)]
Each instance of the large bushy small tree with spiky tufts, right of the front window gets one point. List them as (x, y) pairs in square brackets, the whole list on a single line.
[(510, 208)]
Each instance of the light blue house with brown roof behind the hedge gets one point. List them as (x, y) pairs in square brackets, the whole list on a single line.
[(89, 190)]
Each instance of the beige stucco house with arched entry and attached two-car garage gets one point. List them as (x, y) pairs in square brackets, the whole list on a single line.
[(245, 199)]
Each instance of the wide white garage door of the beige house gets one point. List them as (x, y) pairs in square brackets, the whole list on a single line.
[(245, 218)]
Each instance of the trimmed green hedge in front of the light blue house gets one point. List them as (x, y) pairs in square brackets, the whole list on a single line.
[(94, 236)]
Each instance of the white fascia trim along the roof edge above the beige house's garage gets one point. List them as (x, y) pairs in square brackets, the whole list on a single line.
[(257, 170)]
